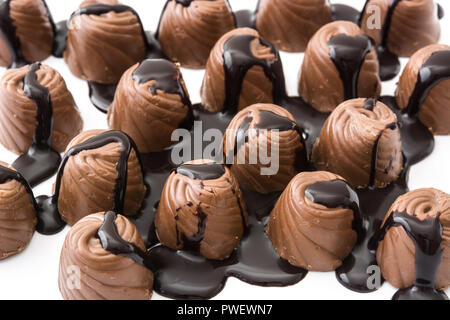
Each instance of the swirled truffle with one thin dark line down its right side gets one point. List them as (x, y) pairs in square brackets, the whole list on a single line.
[(361, 142)]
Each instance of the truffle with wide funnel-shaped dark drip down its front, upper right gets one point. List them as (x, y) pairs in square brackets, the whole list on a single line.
[(340, 63)]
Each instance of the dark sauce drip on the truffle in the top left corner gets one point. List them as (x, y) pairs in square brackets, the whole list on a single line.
[(8, 33)]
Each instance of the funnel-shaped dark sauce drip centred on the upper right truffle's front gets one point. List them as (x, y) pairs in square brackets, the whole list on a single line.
[(348, 54)]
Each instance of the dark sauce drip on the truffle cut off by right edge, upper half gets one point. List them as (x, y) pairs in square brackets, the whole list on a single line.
[(433, 71)]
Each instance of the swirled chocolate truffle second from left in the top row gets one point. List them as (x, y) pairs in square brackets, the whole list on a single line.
[(104, 41)]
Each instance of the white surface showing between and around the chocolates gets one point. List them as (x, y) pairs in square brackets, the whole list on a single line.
[(33, 273)]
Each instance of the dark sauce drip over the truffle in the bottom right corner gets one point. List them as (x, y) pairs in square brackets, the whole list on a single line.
[(427, 238)]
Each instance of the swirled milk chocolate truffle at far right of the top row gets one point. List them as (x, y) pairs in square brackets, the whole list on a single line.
[(406, 26)]
